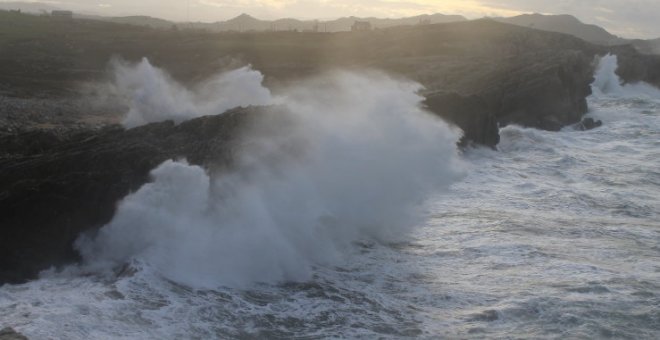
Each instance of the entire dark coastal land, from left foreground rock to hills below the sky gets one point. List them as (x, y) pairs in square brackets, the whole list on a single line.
[(64, 162)]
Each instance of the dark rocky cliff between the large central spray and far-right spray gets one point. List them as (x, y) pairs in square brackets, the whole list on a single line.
[(545, 92)]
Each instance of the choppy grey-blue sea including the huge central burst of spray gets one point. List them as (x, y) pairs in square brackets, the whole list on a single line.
[(554, 235)]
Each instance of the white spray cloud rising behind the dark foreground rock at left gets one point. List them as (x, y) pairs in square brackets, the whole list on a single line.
[(153, 96)]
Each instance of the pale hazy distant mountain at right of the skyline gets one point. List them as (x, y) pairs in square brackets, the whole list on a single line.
[(565, 24)]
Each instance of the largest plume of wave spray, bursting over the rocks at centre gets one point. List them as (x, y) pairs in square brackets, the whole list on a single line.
[(342, 158)]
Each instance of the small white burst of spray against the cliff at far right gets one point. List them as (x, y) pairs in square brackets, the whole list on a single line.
[(608, 84)]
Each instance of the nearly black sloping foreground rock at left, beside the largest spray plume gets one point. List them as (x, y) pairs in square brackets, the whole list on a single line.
[(54, 187)]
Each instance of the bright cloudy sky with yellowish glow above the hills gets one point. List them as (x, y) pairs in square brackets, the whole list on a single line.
[(627, 18)]
